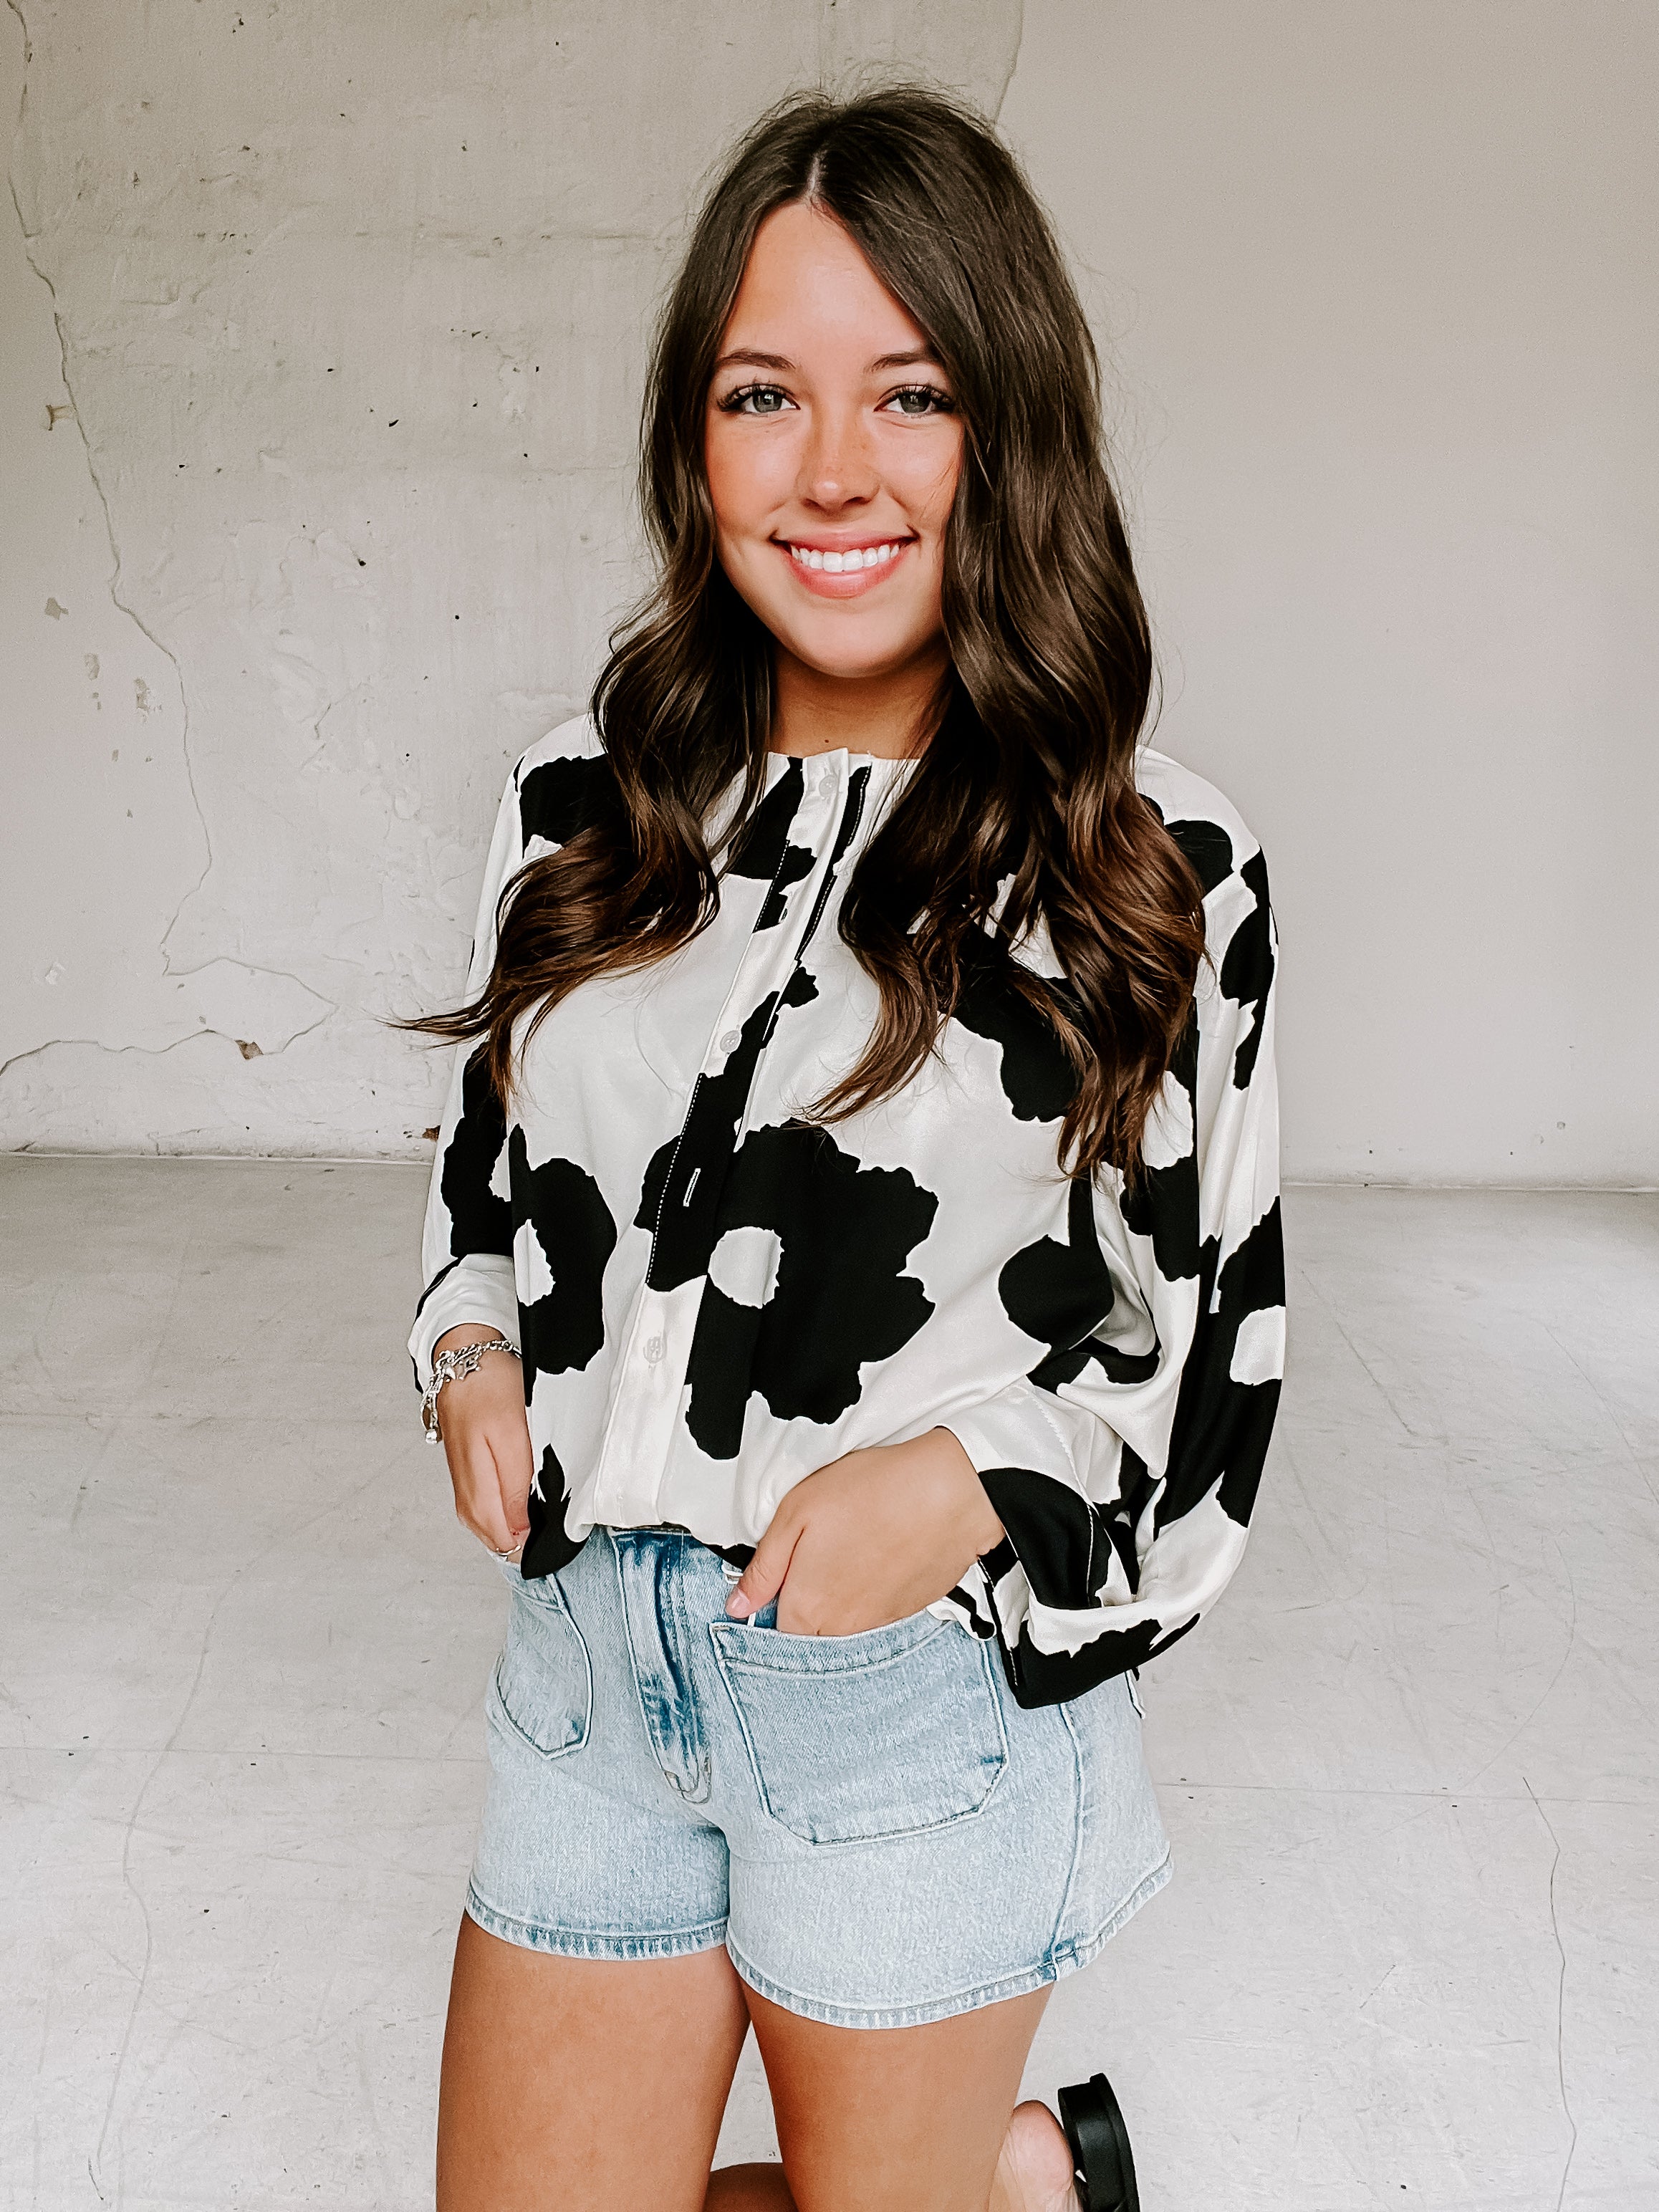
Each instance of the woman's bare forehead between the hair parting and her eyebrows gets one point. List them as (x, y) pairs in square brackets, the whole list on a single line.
[(808, 286)]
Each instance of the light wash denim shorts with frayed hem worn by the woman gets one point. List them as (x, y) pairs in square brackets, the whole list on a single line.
[(868, 1824)]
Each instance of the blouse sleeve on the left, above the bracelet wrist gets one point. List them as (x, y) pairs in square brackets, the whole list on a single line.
[(468, 1238)]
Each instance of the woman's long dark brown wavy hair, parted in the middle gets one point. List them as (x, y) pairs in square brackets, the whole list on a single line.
[(1023, 808)]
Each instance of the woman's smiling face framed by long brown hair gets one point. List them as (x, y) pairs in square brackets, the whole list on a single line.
[(833, 452)]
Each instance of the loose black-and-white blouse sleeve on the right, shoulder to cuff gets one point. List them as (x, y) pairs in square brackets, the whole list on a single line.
[(1125, 1465)]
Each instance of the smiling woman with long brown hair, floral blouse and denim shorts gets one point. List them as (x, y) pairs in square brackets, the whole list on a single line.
[(864, 1134)]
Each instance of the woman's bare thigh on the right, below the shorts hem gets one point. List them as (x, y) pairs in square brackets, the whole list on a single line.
[(895, 2120)]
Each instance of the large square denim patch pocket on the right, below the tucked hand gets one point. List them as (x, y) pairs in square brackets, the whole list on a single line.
[(864, 1738)]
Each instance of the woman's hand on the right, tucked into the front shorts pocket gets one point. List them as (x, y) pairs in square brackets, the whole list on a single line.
[(870, 1538)]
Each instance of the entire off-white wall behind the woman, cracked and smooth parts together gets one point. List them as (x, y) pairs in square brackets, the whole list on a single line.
[(320, 353)]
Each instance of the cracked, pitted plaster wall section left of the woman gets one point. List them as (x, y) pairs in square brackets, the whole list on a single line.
[(322, 359)]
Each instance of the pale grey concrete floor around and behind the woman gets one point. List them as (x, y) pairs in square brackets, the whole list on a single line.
[(1410, 1766)]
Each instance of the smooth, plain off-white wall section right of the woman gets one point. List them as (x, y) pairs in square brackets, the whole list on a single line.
[(1381, 284)]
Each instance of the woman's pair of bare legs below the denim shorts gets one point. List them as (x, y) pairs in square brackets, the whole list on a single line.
[(585, 2085)]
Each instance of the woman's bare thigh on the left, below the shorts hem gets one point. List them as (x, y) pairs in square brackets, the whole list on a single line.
[(583, 2085)]
